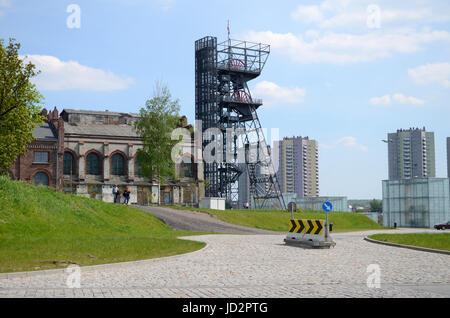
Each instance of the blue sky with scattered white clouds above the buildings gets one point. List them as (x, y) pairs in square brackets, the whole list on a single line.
[(342, 72)]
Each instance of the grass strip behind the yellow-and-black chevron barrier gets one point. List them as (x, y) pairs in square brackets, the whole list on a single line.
[(280, 221)]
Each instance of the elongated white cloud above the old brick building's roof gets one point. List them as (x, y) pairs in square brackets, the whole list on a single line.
[(57, 75)]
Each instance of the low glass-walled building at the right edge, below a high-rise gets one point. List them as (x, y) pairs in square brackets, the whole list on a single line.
[(417, 202)]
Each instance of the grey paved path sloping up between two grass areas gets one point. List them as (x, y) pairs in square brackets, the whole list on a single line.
[(199, 222)]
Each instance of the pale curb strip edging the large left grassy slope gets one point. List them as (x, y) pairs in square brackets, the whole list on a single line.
[(100, 266)]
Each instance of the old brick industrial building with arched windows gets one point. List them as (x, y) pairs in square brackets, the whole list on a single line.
[(88, 152)]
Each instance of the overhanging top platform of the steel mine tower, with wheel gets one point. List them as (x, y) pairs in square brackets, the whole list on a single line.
[(242, 56)]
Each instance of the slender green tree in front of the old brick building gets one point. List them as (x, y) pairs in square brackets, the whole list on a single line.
[(158, 119)]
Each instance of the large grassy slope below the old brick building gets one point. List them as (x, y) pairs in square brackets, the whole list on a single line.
[(41, 229)]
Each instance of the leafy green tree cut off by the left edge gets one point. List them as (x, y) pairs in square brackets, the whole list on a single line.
[(19, 104)]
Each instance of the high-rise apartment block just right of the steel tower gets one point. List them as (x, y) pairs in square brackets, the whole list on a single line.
[(298, 166)]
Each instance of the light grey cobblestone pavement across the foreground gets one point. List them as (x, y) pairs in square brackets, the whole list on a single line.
[(257, 266)]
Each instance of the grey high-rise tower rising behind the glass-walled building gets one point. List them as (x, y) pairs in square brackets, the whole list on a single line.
[(411, 154)]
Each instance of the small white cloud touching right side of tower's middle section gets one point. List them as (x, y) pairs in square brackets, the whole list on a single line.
[(274, 94)]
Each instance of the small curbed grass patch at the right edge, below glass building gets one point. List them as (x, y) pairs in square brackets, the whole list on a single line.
[(428, 240)]
